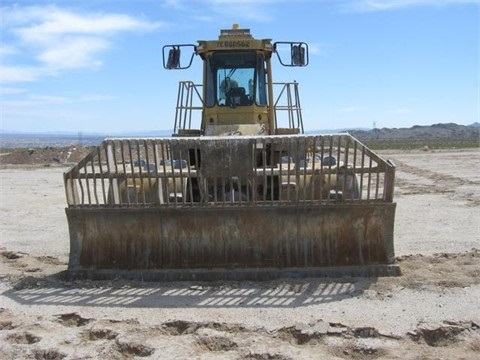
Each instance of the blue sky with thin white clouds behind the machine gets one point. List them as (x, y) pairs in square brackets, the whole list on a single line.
[(96, 65)]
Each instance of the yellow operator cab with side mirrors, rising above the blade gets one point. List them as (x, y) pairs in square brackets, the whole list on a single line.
[(237, 92)]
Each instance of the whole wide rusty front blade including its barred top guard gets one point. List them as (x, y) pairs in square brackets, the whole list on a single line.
[(246, 208)]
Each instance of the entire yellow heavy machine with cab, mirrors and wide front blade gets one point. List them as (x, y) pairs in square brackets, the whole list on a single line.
[(238, 192)]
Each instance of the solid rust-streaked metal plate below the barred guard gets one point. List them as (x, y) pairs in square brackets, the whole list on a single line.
[(227, 238)]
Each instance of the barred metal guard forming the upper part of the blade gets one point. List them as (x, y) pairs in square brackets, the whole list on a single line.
[(233, 171)]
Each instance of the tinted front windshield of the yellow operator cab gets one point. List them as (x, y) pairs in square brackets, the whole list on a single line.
[(235, 79)]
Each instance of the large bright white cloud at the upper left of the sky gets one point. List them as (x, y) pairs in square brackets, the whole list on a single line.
[(50, 39)]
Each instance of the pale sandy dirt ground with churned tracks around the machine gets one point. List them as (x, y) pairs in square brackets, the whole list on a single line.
[(431, 311)]
